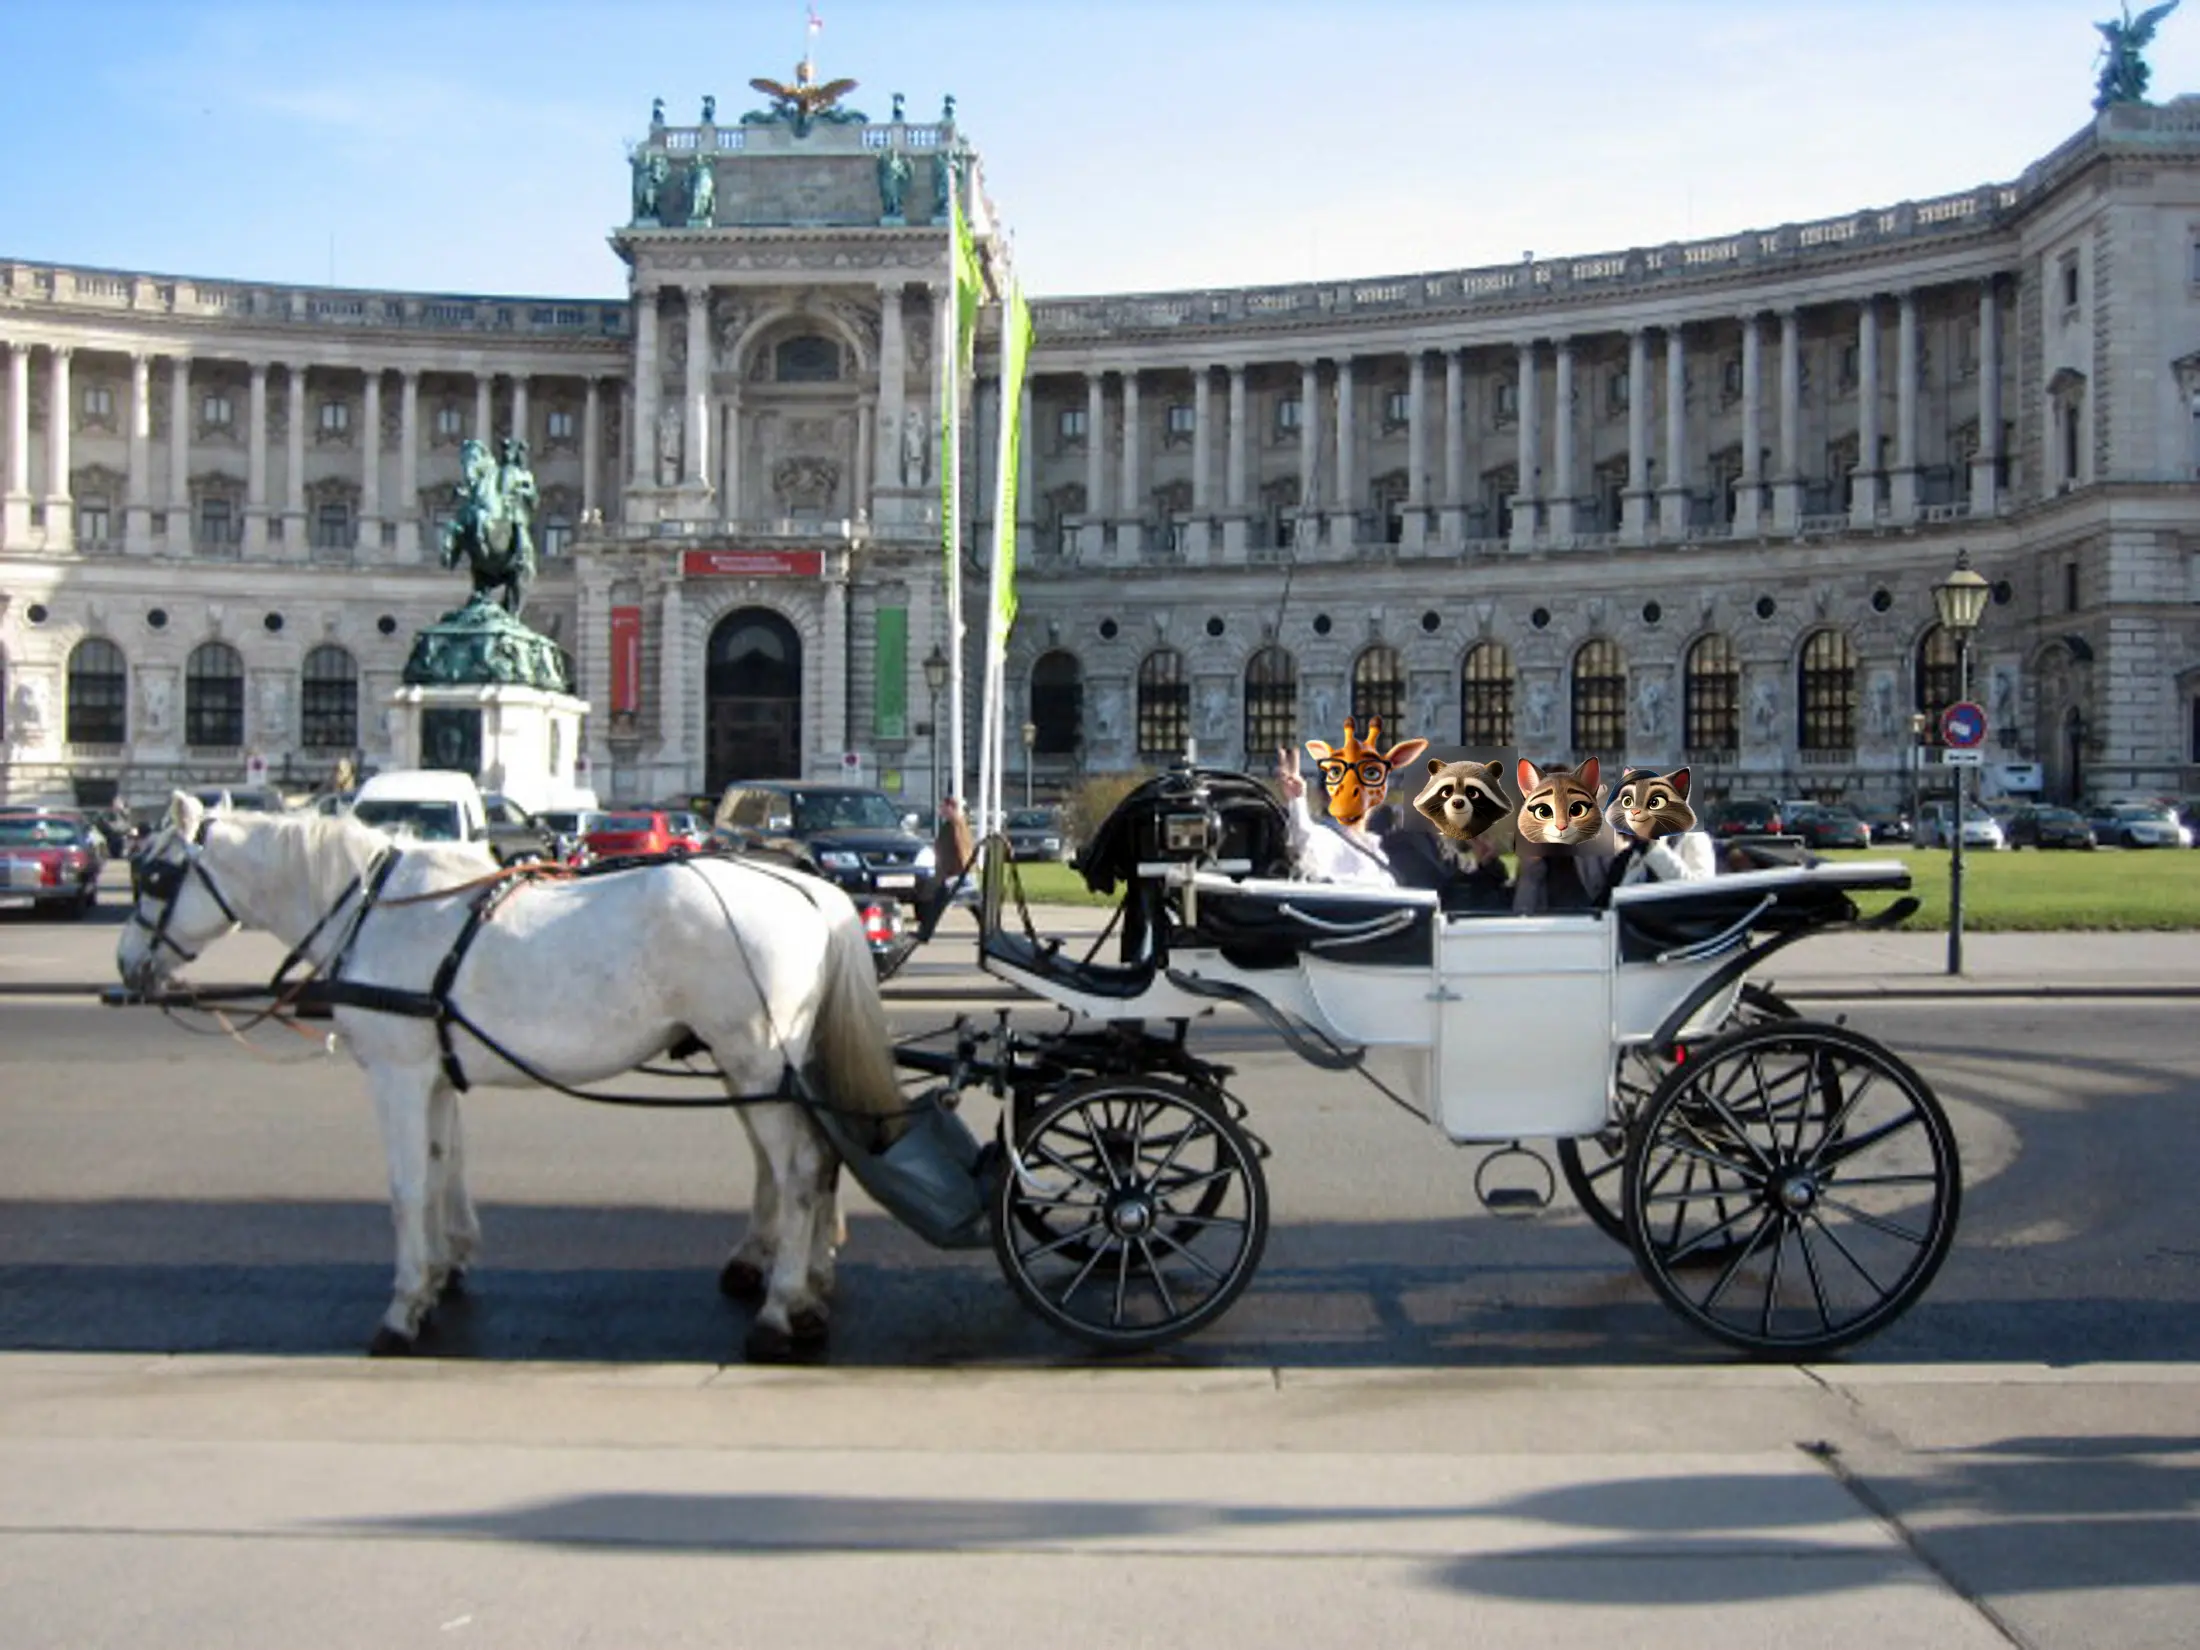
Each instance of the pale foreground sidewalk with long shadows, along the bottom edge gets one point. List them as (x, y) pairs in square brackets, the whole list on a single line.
[(258, 1501)]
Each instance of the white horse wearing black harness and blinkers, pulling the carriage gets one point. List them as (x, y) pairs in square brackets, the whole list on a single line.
[(580, 982)]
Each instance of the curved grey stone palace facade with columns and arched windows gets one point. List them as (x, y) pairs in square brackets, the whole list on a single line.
[(1673, 503)]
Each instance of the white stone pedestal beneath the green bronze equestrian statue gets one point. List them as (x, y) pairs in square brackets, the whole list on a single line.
[(516, 740)]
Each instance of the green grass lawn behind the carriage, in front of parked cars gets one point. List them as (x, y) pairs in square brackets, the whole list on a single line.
[(2010, 892)]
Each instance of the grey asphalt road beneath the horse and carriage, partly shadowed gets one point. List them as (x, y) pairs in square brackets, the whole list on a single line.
[(173, 1193)]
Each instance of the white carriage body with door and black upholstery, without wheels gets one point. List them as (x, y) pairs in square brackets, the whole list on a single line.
[(1499, 1026)]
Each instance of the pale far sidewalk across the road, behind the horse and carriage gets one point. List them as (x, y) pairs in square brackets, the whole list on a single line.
[(80, 960)]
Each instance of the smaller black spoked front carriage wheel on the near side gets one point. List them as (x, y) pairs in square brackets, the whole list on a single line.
[(1138, 1213)]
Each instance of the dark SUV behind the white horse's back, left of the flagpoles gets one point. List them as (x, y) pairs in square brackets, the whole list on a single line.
[(846, 835)]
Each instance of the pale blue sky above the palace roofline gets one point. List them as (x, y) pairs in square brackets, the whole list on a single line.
[(1130, 144)]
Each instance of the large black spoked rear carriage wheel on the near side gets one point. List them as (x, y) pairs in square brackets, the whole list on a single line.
[(1818, 1165)]
